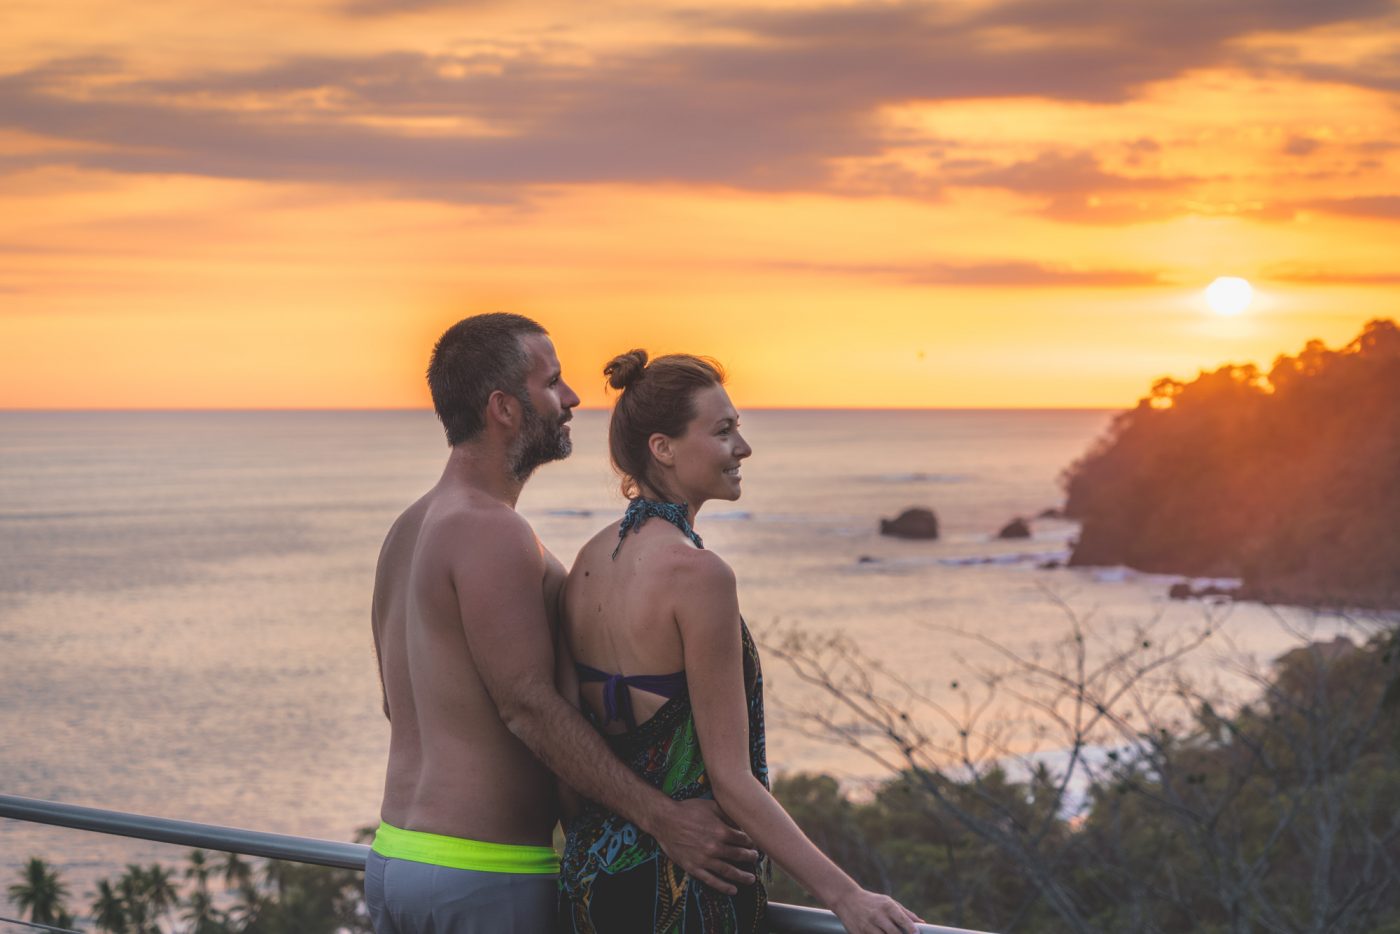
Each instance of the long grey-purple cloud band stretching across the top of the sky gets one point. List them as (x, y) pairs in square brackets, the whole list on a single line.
[(779, 100)]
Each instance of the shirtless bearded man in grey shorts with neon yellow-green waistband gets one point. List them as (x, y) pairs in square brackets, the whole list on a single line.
[(465, 615)]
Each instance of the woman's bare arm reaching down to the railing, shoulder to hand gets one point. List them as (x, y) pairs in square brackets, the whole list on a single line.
[(708, 615)]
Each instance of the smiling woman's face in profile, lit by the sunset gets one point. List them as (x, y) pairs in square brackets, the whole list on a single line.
[(706, 459)]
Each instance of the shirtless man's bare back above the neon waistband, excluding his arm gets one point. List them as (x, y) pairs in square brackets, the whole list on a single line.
[(454, 765)]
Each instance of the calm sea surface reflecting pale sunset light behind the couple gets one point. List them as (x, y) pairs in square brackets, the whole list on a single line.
[(184, 597)]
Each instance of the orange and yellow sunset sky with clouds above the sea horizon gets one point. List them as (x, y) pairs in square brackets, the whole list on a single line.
[(957, 204)]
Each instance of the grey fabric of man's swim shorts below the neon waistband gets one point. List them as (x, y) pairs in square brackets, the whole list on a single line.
[(419, 898)]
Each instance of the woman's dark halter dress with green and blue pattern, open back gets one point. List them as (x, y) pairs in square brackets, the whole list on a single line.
[(615, 879)]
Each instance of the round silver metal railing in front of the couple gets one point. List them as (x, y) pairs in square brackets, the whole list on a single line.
[(785, 919)]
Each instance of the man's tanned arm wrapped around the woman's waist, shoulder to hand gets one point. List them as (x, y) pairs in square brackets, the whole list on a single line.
[(498, 578)]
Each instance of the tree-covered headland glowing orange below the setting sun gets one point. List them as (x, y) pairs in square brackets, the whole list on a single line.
[(1289, 480)]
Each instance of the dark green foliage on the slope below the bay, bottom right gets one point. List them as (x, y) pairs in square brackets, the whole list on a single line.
[(1282, 817)]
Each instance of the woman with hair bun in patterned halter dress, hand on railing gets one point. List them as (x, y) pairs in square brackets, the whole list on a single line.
[(668, 673)]
